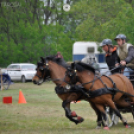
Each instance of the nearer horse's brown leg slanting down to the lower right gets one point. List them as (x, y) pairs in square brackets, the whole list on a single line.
[(112, 105)]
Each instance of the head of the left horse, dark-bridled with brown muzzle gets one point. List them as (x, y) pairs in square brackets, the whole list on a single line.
[(42, 72)]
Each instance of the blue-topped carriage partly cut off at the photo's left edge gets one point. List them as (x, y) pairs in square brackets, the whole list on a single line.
[(5, 81)]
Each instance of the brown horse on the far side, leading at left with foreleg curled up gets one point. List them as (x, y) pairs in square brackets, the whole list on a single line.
[(56, 70)]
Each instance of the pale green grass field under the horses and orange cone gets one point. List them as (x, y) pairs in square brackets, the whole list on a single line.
[(43, 114)]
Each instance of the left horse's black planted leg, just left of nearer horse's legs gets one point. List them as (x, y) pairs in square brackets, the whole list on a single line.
[(99, 117)]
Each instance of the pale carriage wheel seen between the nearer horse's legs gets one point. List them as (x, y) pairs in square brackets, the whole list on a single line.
[(113, 119)]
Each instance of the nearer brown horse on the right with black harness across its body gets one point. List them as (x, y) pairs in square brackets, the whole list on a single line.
[(117, 85)]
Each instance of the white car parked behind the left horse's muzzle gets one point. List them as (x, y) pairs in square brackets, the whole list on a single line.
[(21, 71)]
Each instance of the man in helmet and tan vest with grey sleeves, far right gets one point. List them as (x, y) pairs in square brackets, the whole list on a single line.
[(126, 54)]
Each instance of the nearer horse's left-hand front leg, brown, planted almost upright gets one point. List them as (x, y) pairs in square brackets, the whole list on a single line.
[(103, 114)]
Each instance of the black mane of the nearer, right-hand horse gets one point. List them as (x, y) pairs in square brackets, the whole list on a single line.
[(80, 66)]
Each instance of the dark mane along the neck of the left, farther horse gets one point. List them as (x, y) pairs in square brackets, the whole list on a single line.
[(59, 61)]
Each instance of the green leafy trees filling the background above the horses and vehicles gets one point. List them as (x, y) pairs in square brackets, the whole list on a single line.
[(39, 28)]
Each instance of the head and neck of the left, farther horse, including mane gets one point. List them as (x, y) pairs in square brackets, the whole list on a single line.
[(54, 68)]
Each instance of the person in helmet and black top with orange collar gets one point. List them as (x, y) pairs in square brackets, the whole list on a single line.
[(111, 55)]
